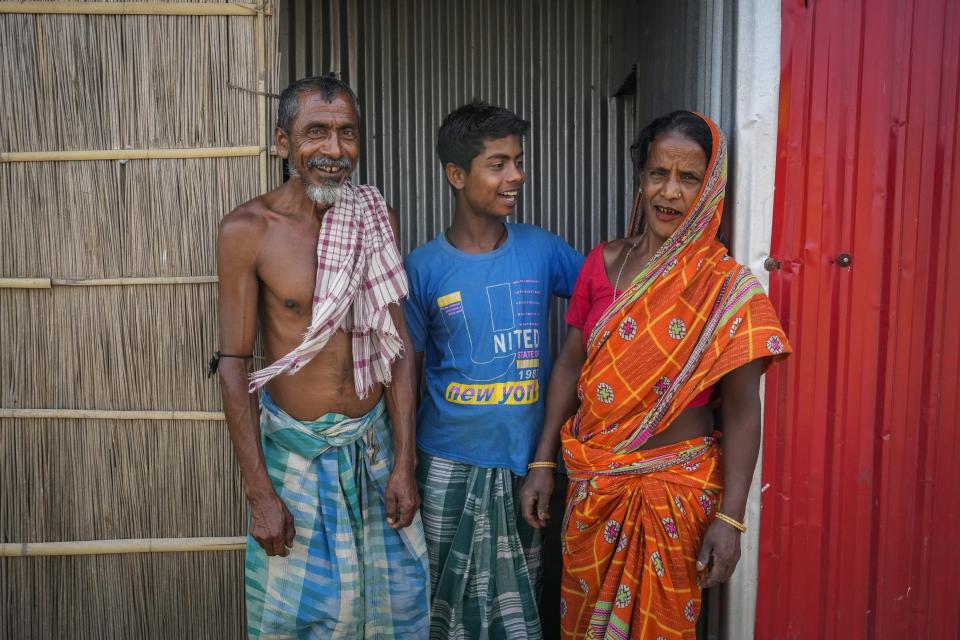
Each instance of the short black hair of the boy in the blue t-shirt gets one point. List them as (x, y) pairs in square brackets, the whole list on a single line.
[(464, 130)]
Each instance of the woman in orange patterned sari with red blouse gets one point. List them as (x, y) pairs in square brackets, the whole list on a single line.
[(656, 501)]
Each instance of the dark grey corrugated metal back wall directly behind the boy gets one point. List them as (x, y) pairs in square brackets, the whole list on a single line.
[(411, 62)]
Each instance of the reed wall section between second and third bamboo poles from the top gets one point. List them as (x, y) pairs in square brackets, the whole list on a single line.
[(102, 219)]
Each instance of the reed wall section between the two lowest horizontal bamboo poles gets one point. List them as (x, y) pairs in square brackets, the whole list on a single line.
[(103, 480)]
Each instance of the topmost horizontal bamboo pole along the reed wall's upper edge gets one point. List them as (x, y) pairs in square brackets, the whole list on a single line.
[(133, 8)]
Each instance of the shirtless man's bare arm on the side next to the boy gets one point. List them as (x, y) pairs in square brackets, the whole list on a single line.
[(401, 496)]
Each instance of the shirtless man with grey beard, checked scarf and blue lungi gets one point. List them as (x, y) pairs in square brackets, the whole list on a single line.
[(311, 481)]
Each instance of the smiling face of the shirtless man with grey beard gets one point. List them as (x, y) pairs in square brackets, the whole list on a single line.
[(323, 145)]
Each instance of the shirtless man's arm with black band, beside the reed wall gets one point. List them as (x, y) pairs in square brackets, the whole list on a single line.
[(271, 522)]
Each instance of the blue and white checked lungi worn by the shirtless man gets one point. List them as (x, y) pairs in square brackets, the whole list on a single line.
[(348, 575)]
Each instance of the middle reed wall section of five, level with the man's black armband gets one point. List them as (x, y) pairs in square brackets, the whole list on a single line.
[(122, 348)]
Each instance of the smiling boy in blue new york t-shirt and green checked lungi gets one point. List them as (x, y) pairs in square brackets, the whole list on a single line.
[(479, 303)]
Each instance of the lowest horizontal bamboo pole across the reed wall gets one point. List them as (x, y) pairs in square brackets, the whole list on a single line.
[(130, 545)]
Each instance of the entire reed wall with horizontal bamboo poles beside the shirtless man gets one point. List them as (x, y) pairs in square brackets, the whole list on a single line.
[(125, 467)]
